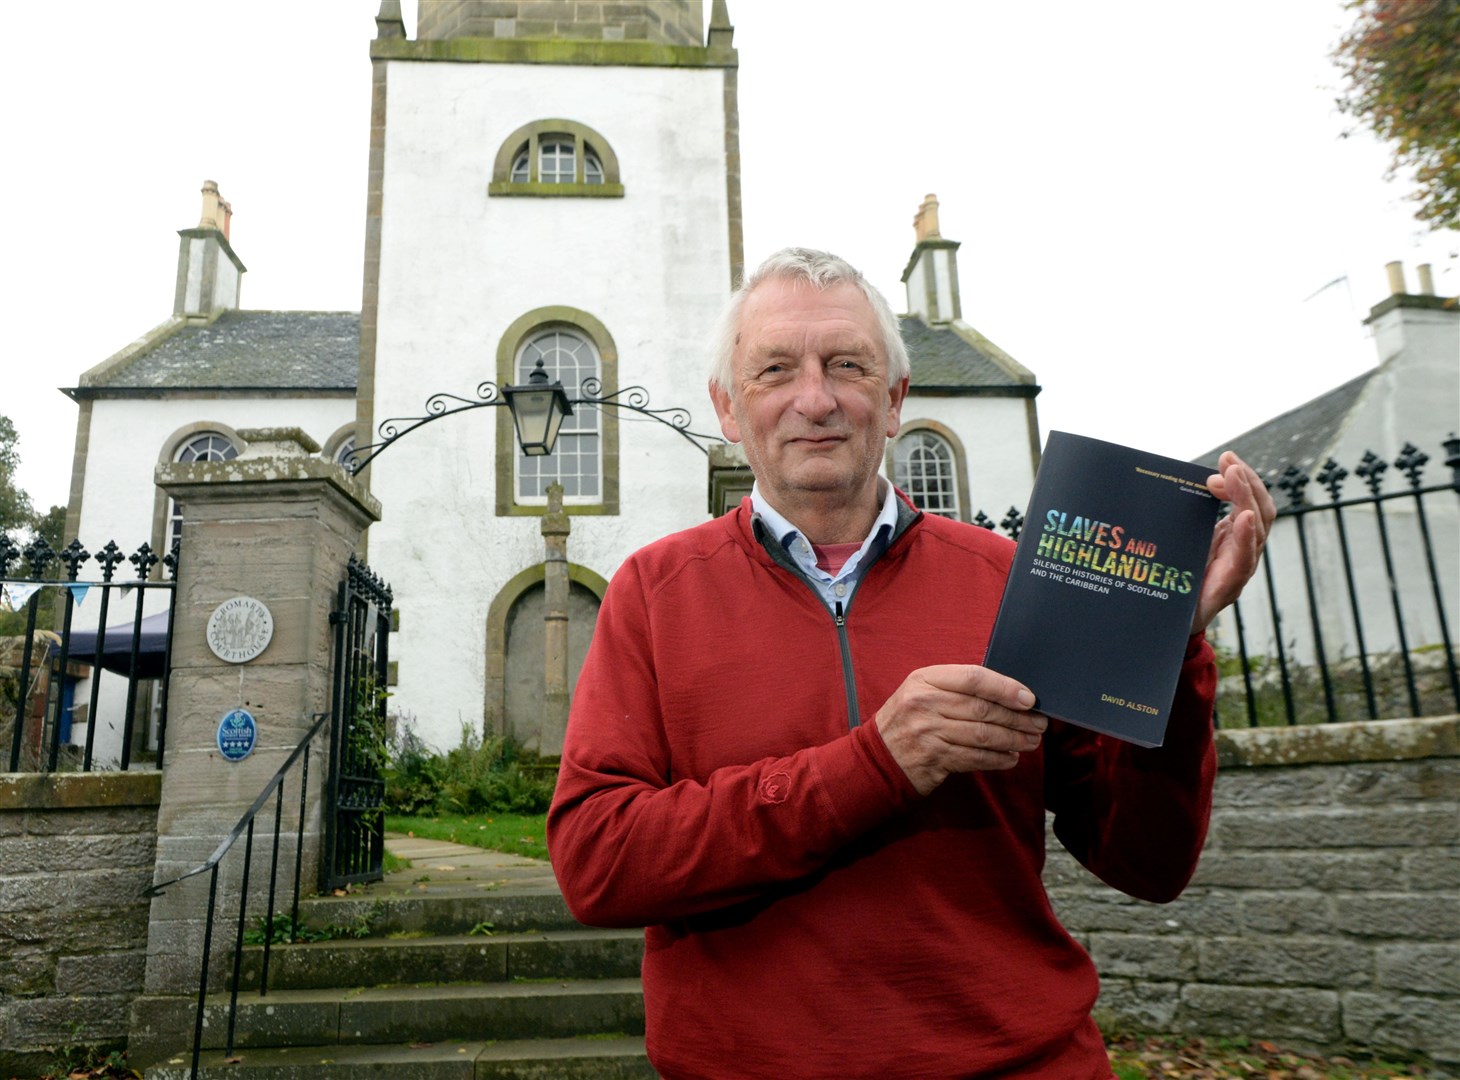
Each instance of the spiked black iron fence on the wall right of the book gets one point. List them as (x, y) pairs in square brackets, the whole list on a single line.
[(1353, 614)]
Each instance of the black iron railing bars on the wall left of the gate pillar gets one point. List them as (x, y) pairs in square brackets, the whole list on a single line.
[(42, 662)]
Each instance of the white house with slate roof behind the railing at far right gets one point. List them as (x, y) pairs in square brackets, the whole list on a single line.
[(1411, 399)]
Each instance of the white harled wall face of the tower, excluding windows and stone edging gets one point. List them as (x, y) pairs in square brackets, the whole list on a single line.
[(459, 268)]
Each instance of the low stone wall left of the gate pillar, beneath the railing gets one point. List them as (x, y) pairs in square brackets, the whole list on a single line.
[(77, 852)]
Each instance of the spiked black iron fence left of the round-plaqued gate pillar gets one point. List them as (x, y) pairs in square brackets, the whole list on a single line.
[(64, 669)]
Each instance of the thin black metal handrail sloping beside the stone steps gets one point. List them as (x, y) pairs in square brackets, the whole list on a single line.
[(246, 827)]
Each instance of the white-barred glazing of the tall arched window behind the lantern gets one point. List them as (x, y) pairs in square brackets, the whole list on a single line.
[(577, 459)]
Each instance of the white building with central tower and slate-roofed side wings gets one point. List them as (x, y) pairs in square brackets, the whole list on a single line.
[(539, 192)]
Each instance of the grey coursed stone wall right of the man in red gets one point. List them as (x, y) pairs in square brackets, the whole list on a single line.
[(1325, 911)]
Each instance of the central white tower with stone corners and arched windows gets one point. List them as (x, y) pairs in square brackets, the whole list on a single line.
[(551, 182)]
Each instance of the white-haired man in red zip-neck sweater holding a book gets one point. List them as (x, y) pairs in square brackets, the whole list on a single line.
[(786, 763)]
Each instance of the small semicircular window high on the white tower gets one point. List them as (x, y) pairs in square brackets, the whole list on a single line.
[(556, 158)]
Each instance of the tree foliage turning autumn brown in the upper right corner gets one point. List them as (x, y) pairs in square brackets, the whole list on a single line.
[(1402, 63)]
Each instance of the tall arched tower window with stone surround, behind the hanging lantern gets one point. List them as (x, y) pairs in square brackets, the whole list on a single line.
[(573, 347)]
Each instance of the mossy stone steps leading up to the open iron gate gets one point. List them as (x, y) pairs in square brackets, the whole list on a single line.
[(464, 974)]
